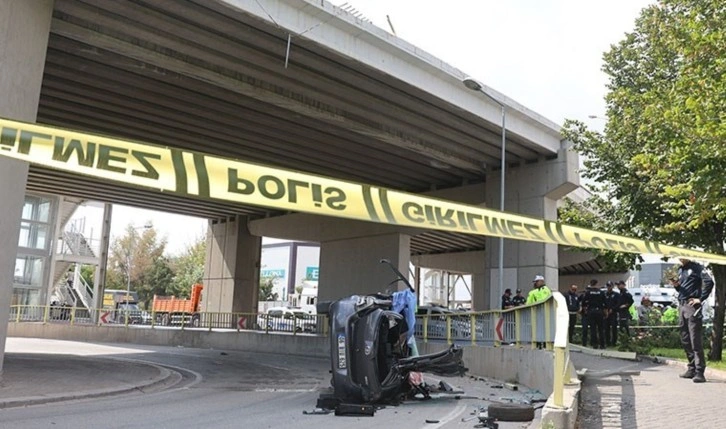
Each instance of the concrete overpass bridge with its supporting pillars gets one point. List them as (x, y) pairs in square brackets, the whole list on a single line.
[(297, 84)]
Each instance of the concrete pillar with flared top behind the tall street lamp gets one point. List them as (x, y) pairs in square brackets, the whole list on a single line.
[(530, 190)]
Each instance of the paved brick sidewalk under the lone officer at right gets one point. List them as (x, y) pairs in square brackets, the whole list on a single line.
[(657, 398)]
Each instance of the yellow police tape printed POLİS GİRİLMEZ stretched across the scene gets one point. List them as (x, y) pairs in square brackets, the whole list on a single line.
[(195, 174)]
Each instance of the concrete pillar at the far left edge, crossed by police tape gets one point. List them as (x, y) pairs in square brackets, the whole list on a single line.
[(24, 30)]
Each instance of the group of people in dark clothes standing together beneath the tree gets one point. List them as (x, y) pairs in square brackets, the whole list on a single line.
[(603, 313)]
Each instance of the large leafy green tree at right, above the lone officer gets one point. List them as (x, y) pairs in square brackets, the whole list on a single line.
[(660, 160)]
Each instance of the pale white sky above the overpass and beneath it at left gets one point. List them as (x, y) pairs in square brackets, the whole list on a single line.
[(545, 54)]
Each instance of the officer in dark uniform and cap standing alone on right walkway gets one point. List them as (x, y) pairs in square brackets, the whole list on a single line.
[(693, 285)]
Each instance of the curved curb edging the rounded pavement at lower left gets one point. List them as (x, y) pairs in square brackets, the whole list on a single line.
[(164, 375)]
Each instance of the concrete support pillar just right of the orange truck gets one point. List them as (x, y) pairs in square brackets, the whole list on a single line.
[(232, 269)]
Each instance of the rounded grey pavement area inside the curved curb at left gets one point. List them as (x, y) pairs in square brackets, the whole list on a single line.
[(30, 378)]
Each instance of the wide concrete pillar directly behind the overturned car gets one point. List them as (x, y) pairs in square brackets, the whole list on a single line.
[(352, 266)]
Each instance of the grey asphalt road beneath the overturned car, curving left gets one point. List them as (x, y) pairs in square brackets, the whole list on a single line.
[(231, 389)]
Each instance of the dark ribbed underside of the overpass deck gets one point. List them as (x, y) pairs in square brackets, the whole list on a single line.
[(204, 76)]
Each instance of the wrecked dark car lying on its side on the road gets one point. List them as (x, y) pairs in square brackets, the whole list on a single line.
[(370, 350)]
